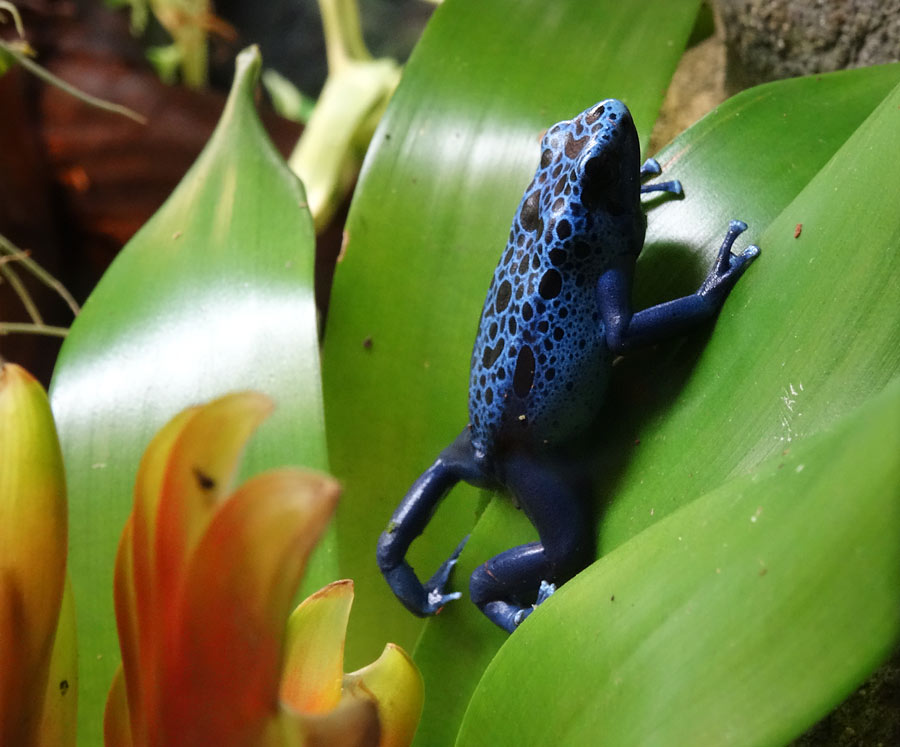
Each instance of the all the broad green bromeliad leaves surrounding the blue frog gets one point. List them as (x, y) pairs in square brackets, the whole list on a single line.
[(721, 531)]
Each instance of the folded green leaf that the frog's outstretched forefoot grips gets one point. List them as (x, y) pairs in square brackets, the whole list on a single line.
[(808, 335)]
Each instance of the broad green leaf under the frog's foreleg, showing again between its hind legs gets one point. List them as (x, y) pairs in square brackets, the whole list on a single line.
[(682, 418)]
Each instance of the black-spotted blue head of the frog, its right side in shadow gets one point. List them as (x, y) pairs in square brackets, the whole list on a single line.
[(600, 154)]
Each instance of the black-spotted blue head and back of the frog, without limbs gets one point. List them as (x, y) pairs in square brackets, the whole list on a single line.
[(540, 361)]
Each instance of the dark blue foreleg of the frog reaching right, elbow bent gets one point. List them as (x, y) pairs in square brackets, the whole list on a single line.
[(626, 330)]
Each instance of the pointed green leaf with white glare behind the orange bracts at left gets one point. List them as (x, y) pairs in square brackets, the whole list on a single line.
[(214, 294)]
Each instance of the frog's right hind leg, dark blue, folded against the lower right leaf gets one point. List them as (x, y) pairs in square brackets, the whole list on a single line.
[(508, 586)]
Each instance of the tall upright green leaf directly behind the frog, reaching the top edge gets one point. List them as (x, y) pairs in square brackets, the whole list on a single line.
[(431, 213)]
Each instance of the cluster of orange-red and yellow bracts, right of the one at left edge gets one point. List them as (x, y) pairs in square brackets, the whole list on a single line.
[(204, 578)]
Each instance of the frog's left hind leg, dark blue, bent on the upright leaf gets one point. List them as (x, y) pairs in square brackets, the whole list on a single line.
[(457, 462)]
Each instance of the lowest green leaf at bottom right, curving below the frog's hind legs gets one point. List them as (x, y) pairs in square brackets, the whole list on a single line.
[(740, 619)]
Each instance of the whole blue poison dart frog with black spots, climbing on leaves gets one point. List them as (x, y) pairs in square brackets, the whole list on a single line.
[(557, 312)]
